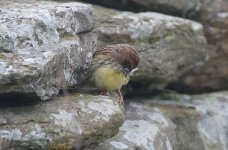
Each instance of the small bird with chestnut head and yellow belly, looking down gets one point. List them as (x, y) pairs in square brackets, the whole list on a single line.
[(112, 67)]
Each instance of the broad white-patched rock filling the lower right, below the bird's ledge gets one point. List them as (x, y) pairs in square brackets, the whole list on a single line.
[(174, 121)]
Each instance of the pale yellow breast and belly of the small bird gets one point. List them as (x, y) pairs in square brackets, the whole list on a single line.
[(107, 78)]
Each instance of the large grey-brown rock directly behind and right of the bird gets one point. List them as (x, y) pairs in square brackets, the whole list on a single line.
[(168, 46)]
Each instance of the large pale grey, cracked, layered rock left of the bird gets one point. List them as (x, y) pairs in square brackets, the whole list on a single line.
[(43, 46)]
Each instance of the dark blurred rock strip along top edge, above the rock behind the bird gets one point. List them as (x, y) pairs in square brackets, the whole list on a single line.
[(182, 8)]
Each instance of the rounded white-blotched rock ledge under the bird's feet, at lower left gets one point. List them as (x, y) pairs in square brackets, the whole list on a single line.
[(72, 121)]
